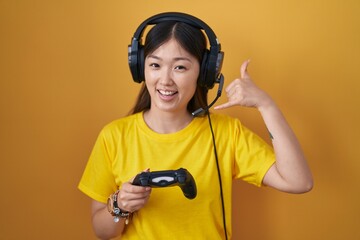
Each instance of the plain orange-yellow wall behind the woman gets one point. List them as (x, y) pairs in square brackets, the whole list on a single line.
[(64, 74)]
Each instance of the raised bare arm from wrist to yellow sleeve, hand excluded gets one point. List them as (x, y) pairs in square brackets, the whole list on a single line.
[(290, 173)]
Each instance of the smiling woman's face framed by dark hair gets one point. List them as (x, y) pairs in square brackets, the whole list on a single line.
[(171, 75)]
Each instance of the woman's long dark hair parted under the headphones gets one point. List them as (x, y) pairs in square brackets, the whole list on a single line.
[(192, 40)]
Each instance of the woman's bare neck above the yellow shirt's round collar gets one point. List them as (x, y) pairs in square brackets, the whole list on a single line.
[(165, 122)]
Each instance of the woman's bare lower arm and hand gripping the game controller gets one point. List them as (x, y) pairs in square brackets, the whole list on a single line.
[(130, 198)]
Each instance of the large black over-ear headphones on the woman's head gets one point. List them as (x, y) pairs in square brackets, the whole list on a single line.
[(210, 70)]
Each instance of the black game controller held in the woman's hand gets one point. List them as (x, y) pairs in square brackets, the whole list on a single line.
[(168, 178)]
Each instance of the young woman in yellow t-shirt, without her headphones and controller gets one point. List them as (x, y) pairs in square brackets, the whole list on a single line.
[(162, 134)]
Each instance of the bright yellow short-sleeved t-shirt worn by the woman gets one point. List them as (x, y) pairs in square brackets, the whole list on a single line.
[(127, 146)]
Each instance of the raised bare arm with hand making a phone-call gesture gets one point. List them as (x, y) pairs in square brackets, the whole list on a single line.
[(290, 173)]
